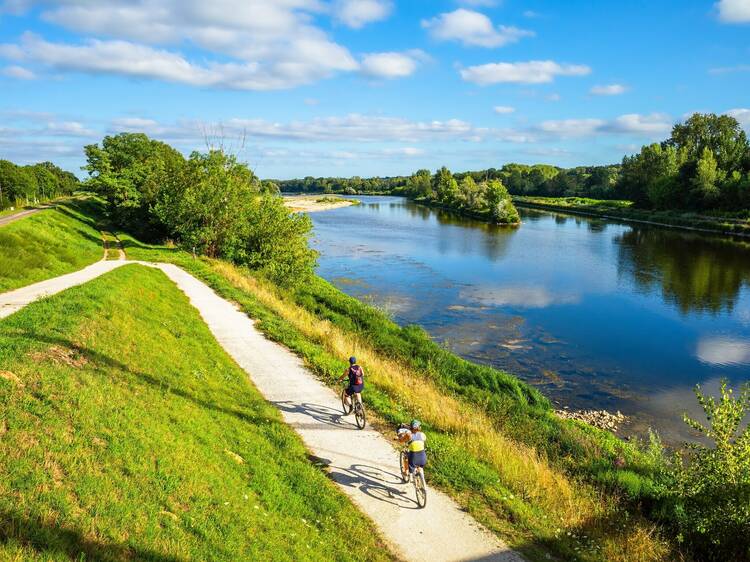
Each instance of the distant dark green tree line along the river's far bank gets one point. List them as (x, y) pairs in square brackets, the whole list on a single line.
[(703, 165)]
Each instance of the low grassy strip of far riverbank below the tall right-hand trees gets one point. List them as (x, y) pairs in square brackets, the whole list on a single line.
[(623, 210)]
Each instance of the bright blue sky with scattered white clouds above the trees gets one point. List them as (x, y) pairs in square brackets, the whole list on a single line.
[(368, 87)]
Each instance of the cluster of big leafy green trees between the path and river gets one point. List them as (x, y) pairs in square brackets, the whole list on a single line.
[(209, 203)]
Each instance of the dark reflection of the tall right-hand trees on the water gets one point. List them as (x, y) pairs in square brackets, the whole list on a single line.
[(695, 272)]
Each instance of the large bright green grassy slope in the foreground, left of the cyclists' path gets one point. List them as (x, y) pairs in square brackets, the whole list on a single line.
[(127, 433)]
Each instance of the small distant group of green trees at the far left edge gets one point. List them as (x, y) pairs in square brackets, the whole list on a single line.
[(24, 185)]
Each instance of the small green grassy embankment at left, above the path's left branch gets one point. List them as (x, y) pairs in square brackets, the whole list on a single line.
[(49, 243)]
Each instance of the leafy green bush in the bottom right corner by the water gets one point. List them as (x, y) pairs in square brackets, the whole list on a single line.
[(710, 488)]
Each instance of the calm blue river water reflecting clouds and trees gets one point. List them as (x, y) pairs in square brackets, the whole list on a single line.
[(595, 313)]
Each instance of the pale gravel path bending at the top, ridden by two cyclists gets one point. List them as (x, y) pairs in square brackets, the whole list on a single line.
[(363, 463)]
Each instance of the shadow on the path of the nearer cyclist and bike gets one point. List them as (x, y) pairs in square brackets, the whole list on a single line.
[(376, 483)]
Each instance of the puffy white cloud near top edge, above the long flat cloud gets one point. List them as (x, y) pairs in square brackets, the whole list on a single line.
[(472, 28)]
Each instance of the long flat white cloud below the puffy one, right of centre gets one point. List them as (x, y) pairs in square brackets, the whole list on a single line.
[(532, 72)]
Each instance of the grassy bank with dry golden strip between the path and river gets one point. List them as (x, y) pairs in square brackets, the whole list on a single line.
[(494, 445)]
